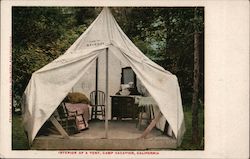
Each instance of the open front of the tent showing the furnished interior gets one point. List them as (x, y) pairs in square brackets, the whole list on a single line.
[(121, 103)]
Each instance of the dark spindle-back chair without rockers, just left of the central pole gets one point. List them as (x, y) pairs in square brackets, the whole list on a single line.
[(97, 101)]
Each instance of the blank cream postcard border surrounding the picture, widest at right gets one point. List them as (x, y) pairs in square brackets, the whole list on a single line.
[(226, 78)]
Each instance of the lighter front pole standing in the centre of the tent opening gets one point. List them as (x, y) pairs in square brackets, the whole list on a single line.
[(106, 105)]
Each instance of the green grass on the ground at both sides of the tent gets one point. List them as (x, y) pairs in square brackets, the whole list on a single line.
[(20, 142)]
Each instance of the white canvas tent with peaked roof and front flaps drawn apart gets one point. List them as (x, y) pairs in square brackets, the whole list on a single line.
[(103, 39)]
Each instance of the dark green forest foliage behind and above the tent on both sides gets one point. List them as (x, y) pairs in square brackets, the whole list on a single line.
[(165, 35)]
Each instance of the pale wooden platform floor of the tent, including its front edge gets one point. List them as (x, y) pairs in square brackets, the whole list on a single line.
[(122, 134)]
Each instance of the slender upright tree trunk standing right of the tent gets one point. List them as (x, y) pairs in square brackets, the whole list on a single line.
[(195, 130)]
